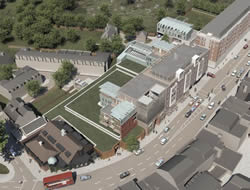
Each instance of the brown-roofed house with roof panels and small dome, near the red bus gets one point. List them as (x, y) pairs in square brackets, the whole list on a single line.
[(60, 142)]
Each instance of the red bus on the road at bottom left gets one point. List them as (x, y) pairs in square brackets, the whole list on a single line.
[(57, 181)]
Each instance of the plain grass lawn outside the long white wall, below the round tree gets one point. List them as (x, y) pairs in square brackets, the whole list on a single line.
[(50, 99)]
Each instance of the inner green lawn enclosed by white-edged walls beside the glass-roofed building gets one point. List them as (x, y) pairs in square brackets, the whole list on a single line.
[(86, 104)]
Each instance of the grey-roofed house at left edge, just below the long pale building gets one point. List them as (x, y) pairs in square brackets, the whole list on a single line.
[(15, 87)]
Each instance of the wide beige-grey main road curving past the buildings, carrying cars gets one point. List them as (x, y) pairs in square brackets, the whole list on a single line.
[(182, 131)]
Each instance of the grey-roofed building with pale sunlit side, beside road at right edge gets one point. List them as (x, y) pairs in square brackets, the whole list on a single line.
[(228, 125)]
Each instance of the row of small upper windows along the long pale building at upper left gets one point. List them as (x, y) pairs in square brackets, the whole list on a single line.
[(54, 60)]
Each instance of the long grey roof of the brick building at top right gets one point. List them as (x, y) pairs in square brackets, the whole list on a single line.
[(225, 20)]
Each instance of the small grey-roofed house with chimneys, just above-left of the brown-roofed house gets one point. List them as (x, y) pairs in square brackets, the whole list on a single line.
[(19, 113)]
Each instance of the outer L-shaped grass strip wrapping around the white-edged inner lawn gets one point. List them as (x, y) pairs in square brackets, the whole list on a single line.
[(103, 141)]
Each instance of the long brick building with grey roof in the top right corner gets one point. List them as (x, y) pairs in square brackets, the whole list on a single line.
[(220, 35)]
